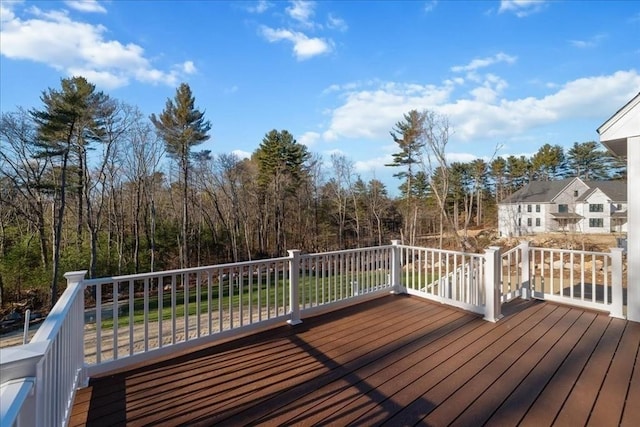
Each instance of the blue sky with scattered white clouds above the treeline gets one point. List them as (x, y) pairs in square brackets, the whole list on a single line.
[(339, 75)]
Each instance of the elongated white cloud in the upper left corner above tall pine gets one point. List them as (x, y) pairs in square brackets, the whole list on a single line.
[(79, 47)]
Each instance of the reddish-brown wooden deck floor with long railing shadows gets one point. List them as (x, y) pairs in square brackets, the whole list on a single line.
[(397, 361)]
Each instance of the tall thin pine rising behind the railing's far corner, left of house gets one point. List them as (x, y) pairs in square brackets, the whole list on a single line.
[(409, 135)]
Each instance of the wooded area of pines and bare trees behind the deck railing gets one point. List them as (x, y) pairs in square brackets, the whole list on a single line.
[(89, 182)]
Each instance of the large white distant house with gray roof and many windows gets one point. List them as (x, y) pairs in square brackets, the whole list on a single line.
[(571, 204)]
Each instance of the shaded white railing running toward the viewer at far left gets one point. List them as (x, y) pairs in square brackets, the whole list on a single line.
[(39, 379)]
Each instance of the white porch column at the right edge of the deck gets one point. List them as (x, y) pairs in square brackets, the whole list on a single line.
[(633, 226)]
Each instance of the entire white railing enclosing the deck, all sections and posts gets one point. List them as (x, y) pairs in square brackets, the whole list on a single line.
[(127, 319)]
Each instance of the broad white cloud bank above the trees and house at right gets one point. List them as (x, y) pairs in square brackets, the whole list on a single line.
[(370, 113)]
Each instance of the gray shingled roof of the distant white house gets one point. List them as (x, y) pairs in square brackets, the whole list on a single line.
[(545, 191)]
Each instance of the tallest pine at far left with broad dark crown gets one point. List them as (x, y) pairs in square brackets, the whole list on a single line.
[(69, 122)]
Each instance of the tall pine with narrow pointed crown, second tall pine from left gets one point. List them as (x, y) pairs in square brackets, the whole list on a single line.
[(181, 126)]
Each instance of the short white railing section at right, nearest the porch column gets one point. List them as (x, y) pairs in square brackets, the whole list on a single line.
[(582, 278)]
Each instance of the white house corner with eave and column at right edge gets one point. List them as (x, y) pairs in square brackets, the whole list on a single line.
[(621, 135)]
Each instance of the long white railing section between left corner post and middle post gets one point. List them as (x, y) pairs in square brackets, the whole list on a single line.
[(131, 316)]
